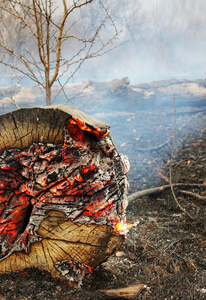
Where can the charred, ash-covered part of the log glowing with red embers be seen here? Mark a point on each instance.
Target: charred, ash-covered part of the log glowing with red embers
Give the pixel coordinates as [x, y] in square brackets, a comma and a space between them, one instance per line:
[84, 178]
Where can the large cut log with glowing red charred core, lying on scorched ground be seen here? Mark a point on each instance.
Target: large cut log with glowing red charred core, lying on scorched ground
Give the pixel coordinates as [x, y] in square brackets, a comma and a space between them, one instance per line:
[62, 192]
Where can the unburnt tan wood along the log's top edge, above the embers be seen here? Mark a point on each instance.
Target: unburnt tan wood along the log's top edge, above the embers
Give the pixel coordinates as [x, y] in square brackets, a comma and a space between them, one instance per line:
[20, 128]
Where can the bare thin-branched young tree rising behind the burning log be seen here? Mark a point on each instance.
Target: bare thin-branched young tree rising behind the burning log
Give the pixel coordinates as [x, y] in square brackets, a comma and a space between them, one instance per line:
[56, 40]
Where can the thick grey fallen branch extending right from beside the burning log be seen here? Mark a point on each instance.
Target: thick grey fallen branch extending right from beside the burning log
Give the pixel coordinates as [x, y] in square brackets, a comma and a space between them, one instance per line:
[159, 189]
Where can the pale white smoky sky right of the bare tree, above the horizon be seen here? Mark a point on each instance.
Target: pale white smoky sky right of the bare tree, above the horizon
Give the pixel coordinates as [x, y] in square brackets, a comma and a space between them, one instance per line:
[163, 39]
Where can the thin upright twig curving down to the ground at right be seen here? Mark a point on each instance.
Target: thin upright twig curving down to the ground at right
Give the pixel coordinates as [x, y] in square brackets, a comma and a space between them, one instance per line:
[170, 167]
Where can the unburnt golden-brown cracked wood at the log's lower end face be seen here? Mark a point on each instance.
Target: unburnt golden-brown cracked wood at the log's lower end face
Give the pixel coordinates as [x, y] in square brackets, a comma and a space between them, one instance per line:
[64, 240]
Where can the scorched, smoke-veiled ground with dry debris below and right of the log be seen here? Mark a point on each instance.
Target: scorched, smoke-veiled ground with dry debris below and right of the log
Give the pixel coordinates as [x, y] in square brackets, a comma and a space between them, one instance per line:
[167, 250]
